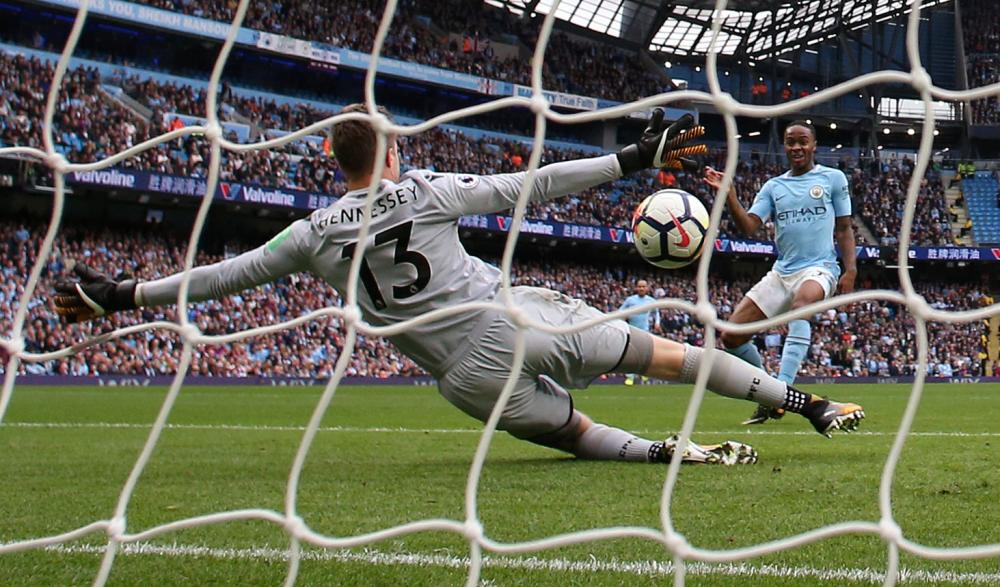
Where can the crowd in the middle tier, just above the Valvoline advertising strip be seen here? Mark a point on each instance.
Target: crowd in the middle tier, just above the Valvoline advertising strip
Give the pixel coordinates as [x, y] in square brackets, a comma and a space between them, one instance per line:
[90, 126]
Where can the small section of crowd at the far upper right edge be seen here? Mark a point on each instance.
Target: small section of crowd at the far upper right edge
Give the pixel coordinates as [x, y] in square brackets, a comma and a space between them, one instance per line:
[981, 32]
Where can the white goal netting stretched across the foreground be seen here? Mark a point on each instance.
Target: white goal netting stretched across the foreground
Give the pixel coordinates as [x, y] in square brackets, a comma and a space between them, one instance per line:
[470, 528]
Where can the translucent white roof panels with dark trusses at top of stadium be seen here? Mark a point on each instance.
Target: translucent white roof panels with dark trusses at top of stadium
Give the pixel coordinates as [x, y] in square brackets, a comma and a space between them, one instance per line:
[754, 29]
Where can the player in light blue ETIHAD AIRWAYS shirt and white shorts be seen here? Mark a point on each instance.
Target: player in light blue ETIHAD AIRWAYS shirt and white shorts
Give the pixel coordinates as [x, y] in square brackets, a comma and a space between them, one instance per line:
[810, 205]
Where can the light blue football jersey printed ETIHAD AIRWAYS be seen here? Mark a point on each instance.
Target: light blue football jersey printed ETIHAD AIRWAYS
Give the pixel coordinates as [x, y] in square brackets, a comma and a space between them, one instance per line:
[804, 209]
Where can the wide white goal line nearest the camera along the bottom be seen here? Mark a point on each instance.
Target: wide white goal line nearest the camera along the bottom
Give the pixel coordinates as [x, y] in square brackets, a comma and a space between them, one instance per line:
[637, 568]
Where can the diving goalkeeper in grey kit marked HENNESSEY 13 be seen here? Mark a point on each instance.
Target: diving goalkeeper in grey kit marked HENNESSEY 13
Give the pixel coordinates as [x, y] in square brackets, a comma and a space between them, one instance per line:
[414, 263]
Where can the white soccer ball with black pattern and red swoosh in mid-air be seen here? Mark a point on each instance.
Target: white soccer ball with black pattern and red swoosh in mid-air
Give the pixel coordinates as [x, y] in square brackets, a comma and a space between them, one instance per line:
[669, 228]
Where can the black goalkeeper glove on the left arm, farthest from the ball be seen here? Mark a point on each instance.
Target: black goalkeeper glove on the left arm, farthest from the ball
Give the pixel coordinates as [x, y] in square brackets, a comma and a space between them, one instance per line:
[94, 295]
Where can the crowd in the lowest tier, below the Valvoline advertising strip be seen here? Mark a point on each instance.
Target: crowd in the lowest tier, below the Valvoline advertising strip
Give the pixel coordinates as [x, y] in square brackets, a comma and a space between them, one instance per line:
[872, 338]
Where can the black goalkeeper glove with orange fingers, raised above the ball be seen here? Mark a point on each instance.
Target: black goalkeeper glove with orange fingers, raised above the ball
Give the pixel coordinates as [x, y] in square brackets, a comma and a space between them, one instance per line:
[663, 147]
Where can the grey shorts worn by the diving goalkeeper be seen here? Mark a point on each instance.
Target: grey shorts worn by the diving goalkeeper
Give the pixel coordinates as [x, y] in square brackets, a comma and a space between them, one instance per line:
[540, 403]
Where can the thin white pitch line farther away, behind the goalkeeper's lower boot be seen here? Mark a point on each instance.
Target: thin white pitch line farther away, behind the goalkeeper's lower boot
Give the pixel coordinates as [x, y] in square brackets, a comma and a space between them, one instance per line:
[376, 429]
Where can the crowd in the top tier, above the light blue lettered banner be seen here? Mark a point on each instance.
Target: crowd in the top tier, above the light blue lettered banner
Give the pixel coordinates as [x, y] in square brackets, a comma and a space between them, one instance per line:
[472, 34]
